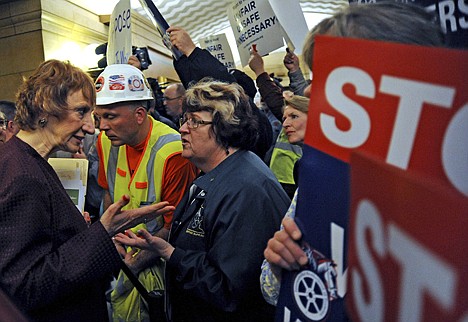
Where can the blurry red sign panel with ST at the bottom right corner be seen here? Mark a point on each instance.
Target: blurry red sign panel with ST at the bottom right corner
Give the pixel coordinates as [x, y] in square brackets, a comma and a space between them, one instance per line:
[407, 252]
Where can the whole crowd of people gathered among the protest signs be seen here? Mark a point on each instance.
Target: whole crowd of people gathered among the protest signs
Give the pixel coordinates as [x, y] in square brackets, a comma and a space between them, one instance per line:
[196, 213]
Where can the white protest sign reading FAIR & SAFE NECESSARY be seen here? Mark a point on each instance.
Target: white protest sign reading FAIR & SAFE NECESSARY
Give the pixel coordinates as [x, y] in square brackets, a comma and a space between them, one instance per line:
[254, 23]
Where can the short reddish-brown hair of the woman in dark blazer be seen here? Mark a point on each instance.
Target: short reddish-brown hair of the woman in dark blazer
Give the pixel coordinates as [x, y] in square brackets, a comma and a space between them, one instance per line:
[46, 91]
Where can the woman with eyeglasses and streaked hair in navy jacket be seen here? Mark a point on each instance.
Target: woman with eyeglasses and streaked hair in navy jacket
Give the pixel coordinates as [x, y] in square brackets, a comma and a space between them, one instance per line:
[222, 226]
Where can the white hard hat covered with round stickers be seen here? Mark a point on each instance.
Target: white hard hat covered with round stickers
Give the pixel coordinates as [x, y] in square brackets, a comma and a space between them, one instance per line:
[121, 83]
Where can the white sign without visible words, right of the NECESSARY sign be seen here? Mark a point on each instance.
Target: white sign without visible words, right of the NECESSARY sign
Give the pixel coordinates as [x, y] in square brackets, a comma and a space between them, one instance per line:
[291, 18]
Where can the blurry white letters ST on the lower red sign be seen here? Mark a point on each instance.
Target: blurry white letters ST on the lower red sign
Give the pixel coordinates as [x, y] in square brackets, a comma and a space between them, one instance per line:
[422, 272]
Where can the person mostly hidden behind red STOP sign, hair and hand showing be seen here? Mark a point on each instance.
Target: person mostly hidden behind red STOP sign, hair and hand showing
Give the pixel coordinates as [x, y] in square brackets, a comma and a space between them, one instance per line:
[393, 22]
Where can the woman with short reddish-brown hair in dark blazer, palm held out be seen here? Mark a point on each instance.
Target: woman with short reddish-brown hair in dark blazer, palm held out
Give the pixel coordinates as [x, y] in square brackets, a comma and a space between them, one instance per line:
[53, 266]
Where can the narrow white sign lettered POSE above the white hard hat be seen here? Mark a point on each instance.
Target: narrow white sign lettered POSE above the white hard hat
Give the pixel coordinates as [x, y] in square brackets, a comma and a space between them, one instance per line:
[119, 47]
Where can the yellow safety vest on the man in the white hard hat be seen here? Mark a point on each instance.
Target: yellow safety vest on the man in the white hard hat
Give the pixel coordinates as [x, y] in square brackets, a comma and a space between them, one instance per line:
[144, 186]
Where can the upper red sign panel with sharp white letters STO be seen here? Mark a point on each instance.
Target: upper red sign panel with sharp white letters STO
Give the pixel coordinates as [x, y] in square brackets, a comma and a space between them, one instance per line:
[405, 104]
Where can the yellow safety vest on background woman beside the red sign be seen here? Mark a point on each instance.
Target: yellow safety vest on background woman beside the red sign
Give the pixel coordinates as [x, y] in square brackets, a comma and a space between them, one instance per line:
[283, 158]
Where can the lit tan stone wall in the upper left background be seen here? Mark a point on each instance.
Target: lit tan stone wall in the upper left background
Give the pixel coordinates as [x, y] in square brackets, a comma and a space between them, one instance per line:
[32, 31]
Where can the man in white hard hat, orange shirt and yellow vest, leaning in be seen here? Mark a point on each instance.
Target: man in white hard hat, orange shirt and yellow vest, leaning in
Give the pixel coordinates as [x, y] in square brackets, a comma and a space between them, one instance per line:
[140, 157]
